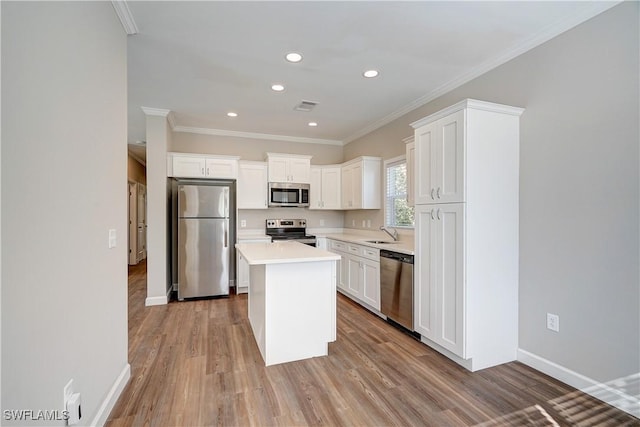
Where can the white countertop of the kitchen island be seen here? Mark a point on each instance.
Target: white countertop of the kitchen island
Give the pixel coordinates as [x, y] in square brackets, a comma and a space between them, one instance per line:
[283, 252]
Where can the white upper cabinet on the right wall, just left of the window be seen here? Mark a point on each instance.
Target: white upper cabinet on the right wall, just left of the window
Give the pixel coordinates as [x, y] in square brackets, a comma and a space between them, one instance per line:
[362, 183]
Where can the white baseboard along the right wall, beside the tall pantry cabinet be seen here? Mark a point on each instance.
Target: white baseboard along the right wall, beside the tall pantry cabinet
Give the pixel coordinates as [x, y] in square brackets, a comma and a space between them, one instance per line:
[606, 392]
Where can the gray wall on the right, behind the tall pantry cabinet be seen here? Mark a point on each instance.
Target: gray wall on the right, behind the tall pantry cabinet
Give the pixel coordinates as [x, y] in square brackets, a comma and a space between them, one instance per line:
[579, 189]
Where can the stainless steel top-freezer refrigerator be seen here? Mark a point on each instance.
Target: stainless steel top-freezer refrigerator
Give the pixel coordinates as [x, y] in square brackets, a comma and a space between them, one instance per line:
[205, 239]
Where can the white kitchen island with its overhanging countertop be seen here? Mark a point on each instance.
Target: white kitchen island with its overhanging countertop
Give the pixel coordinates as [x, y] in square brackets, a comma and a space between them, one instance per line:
[292, 299]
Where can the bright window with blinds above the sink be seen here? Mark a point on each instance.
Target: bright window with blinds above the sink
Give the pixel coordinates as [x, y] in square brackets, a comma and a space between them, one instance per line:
[397, 212]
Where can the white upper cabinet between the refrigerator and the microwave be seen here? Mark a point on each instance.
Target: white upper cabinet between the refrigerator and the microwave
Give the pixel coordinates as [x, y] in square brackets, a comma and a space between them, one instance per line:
[252, 190]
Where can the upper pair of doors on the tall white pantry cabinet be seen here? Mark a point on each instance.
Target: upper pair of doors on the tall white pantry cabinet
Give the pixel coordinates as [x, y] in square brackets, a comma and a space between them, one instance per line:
[439, 150]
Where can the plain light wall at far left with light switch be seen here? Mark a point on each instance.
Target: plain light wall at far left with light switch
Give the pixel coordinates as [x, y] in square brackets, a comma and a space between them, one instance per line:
[64, 179]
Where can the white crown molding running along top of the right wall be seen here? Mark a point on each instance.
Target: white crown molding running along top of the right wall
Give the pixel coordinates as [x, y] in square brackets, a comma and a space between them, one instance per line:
[547, 34]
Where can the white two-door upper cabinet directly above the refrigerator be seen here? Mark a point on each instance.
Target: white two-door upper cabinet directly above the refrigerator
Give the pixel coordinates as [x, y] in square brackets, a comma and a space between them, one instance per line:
[182, 165]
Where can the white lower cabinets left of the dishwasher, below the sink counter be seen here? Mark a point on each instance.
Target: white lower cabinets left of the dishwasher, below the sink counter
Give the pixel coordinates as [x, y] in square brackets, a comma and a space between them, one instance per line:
[359, 275]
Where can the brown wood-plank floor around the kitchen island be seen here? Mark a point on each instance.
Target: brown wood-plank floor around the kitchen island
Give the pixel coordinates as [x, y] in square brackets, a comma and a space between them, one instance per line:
[196, 363]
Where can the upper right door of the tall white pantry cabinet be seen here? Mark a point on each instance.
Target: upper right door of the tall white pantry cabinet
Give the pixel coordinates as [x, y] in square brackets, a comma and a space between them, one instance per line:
[449, 159]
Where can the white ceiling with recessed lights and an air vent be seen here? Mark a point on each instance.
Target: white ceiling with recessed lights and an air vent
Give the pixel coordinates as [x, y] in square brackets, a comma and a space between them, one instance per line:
[203, 59]
